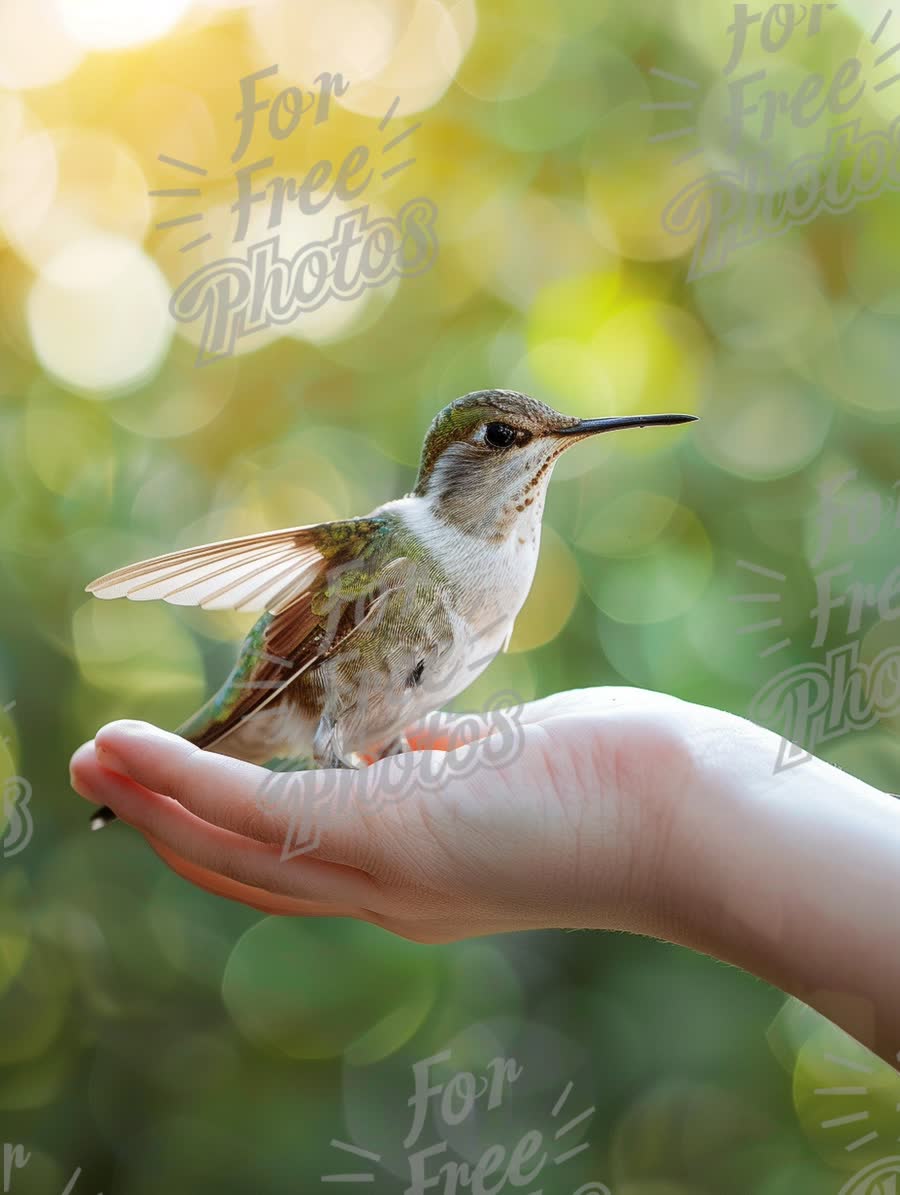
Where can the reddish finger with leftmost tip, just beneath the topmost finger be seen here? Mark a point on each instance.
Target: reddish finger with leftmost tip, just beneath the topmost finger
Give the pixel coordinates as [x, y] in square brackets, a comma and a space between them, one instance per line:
[217, 850]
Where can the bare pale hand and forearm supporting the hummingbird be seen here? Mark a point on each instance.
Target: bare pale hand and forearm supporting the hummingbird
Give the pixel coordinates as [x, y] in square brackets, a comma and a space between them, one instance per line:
[621, 810]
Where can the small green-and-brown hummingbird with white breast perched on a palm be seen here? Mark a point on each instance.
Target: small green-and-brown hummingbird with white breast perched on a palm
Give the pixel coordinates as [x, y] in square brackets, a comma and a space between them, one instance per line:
[369, 624]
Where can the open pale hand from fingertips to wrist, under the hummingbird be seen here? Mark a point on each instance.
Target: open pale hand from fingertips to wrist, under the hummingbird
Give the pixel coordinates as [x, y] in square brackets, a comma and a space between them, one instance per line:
[571, 832]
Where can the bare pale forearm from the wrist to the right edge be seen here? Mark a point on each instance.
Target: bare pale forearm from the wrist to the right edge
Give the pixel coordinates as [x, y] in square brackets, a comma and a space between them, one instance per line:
[795, 877]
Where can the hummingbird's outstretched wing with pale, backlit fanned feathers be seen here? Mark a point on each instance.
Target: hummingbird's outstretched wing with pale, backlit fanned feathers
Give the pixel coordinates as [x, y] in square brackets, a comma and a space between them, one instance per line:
[248, 574]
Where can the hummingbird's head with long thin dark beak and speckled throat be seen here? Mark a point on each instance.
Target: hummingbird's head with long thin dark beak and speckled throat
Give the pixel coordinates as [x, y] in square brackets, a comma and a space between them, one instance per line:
[488, 457]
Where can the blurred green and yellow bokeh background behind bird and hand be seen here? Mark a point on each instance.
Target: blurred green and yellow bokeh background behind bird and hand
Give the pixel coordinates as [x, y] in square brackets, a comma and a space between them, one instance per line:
[163, 1040]
